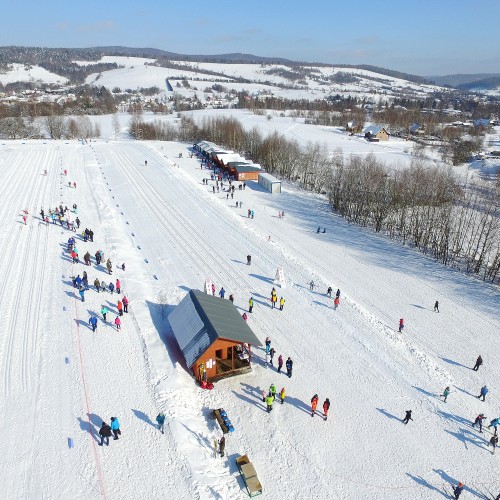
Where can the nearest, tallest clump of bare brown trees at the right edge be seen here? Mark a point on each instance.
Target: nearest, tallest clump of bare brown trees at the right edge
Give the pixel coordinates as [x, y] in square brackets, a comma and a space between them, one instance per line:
[457, 224]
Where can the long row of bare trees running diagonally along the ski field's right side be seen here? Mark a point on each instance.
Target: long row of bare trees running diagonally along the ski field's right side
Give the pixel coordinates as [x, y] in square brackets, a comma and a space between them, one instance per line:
[424, 206]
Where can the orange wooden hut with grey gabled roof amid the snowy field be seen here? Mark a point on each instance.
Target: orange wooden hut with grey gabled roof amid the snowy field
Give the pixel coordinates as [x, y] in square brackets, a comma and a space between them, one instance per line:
[213, 337]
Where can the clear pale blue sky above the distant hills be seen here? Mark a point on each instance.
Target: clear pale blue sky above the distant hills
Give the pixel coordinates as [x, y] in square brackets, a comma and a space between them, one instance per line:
[425, 37]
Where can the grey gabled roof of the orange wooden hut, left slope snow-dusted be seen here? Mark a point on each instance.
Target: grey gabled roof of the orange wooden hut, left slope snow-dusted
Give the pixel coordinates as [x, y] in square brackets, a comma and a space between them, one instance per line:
[200, 319]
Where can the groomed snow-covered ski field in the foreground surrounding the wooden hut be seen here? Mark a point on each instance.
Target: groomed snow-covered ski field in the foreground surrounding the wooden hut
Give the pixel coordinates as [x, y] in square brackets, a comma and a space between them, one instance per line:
[59, 380]
